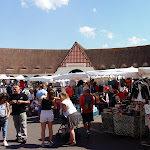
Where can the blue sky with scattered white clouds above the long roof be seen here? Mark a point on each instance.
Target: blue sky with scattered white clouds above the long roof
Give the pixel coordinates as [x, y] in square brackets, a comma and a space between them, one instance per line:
[57, 24]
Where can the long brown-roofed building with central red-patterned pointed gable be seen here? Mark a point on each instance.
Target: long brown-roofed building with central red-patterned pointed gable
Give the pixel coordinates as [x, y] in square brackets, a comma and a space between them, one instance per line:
[39, 62]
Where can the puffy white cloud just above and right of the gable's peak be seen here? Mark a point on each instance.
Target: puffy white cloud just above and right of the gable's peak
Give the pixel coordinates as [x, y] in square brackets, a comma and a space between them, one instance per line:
[87, 31]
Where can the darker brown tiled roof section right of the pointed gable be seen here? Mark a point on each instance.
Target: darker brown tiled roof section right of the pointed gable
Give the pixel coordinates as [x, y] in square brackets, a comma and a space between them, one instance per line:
[127, 56]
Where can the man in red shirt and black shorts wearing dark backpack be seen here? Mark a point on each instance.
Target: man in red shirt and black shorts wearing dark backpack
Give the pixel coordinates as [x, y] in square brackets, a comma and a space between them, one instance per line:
[87, 102]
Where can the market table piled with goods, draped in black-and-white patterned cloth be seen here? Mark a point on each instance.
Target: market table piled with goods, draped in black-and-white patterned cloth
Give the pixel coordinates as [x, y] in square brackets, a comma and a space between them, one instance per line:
[125, 119]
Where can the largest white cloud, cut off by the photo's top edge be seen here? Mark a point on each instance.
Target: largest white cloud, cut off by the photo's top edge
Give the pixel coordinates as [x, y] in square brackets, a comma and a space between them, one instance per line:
[45, 4]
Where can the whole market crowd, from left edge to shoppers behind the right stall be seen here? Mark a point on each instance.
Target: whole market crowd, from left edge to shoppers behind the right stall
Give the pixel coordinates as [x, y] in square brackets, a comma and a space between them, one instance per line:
[50, 101]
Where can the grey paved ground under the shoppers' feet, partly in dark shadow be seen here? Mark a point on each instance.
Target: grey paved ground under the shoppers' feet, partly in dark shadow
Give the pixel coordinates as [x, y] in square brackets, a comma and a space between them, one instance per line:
[98, 140]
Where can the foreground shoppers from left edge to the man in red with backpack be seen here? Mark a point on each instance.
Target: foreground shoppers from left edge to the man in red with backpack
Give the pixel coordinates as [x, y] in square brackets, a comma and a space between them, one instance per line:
[48, 103]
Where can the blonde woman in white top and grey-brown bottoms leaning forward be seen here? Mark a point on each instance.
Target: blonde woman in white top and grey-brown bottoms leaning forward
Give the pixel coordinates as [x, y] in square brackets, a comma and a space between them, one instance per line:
[72, 116]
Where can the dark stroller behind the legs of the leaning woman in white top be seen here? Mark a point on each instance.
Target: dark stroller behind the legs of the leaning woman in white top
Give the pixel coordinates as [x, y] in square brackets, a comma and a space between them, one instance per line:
[63, 131]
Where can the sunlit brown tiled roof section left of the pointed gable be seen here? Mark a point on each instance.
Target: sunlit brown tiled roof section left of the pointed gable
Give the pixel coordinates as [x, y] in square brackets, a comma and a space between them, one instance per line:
[30, 61]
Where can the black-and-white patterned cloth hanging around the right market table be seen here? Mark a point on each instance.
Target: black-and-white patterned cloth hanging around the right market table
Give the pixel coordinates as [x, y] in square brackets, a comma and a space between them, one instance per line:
[123, 125]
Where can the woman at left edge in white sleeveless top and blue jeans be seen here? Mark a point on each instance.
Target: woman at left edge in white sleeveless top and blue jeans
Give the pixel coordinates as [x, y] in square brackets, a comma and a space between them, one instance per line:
[4, 115]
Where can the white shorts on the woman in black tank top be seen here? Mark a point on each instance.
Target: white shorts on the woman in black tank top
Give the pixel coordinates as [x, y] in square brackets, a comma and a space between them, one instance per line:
[46, 115]
